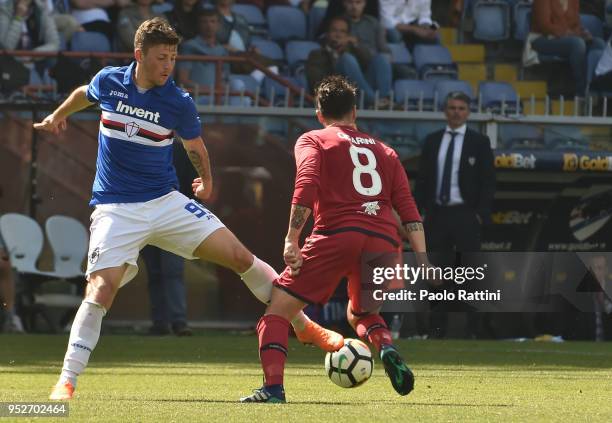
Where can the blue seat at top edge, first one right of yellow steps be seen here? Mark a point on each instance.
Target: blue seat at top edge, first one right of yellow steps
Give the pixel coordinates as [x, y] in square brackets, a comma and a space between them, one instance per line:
[491, 20]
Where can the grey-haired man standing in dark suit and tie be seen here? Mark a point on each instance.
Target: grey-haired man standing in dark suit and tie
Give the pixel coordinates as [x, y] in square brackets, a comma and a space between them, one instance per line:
[454, 191]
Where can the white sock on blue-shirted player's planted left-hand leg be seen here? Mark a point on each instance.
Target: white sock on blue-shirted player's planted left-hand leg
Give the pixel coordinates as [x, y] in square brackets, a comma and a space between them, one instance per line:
[84, 336]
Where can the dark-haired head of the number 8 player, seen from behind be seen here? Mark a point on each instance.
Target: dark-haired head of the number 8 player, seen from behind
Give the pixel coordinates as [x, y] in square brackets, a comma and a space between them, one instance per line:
[335, 97]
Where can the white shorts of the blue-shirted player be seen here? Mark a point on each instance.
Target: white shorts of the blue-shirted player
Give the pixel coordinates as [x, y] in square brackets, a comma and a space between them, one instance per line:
[119, 231]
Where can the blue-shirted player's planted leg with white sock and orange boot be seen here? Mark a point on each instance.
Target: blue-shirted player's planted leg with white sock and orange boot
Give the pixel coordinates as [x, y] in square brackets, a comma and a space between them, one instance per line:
[85, 331]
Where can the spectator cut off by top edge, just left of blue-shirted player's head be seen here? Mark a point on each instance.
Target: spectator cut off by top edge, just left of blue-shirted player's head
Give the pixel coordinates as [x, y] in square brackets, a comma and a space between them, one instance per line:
[92, 14]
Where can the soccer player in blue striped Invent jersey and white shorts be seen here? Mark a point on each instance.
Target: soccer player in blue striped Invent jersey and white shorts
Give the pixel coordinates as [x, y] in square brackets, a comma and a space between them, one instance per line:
[135, 192]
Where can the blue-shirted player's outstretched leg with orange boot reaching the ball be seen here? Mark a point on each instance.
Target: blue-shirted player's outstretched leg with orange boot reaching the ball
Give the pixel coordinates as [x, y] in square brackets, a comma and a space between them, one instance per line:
[223, 248]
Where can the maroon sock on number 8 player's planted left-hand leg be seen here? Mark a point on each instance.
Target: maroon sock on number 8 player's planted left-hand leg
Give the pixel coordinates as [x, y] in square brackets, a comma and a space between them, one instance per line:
[273, 334]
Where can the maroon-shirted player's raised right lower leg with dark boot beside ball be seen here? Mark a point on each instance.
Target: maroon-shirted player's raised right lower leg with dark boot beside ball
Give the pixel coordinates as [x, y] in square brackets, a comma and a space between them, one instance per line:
[372, 328]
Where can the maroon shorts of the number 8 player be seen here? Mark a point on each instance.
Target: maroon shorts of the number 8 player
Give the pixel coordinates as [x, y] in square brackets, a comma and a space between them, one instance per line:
[329, 258]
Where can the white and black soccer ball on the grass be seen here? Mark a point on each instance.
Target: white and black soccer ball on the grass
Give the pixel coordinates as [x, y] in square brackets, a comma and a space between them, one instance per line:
[351, 365]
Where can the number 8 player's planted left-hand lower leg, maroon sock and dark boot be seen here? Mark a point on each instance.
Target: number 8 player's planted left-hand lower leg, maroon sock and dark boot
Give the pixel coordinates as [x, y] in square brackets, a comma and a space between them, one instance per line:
[272, 330]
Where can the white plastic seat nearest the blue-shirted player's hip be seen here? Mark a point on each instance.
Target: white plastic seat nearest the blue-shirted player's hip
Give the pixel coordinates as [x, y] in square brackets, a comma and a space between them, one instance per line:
[69, 240]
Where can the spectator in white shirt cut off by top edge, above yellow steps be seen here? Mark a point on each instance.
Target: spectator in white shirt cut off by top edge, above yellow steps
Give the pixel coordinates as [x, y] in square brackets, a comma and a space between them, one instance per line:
[408, 21]
